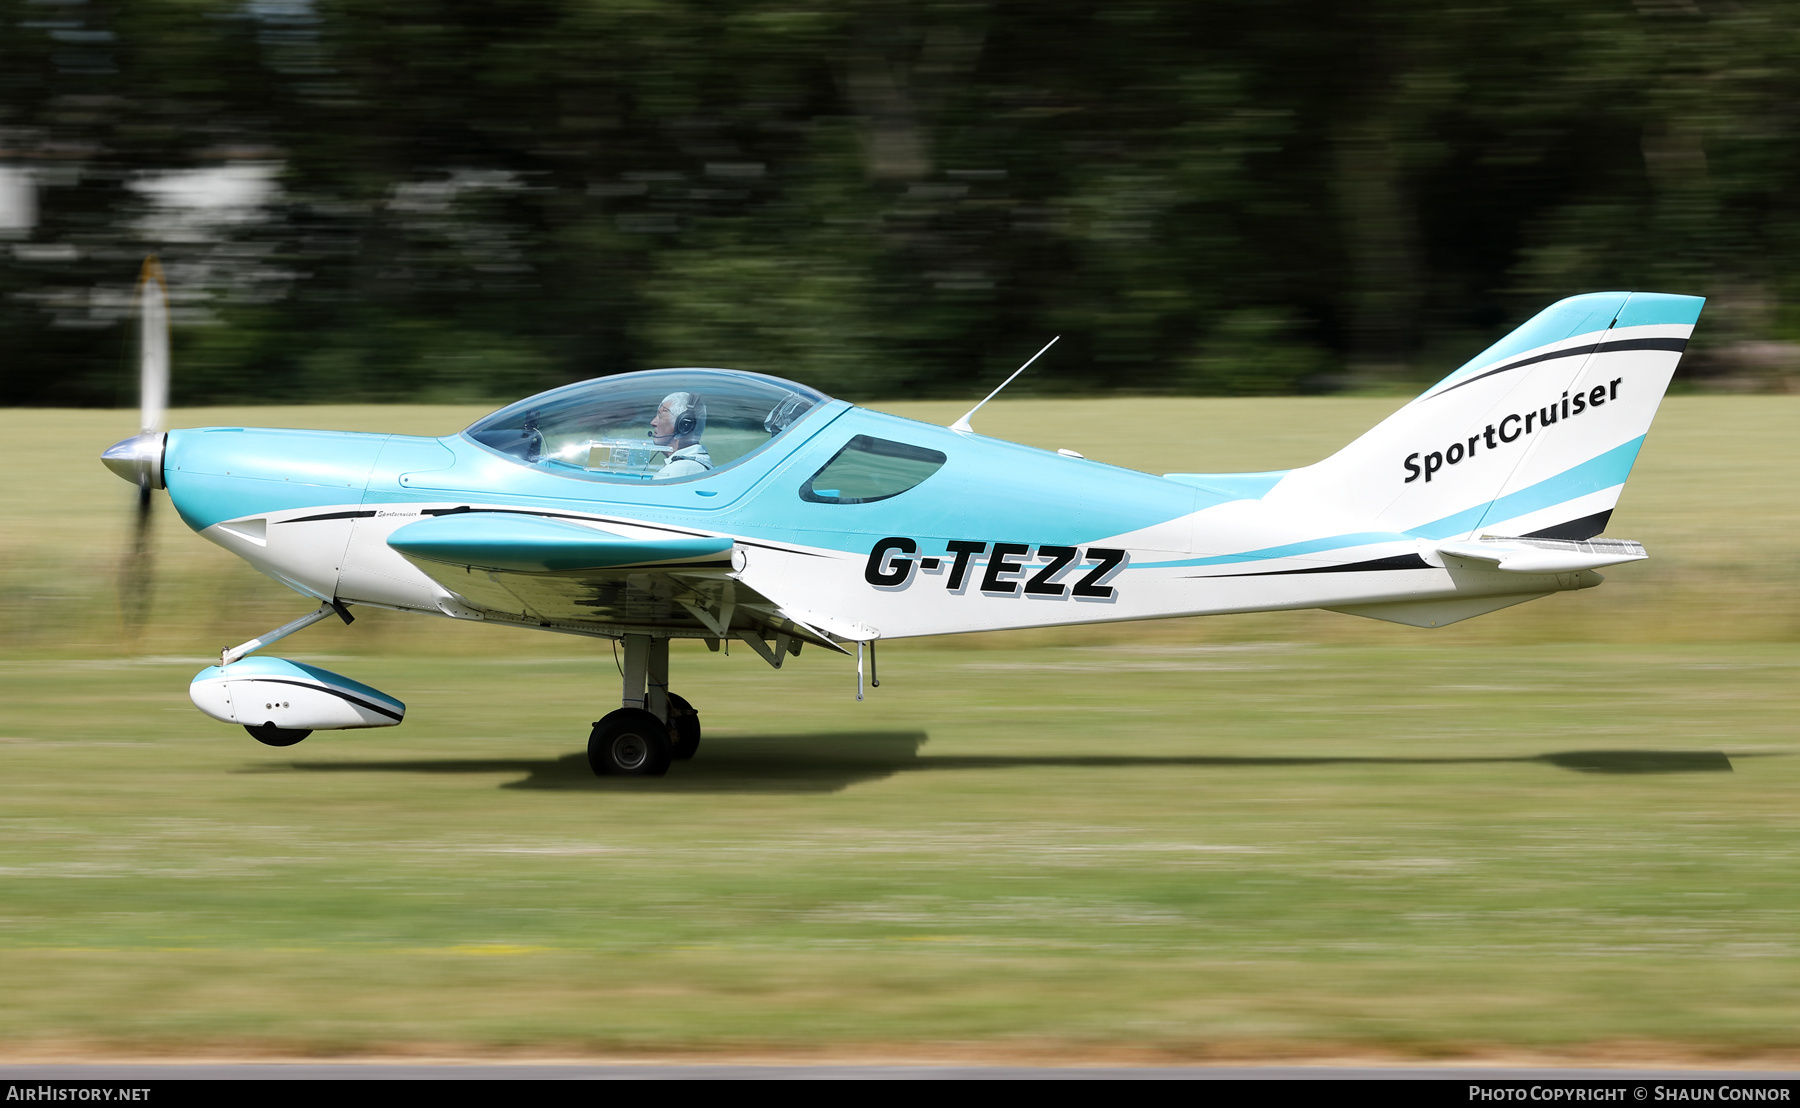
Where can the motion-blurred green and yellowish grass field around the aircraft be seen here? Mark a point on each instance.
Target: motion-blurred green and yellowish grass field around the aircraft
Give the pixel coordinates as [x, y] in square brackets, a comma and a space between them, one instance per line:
[1565, 830]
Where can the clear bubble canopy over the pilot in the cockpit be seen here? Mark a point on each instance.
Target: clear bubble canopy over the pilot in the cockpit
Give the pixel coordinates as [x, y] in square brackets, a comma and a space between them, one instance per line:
[656, 425]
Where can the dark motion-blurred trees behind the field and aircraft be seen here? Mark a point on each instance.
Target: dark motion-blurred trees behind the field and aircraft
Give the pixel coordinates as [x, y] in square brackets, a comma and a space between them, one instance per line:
[478, 199]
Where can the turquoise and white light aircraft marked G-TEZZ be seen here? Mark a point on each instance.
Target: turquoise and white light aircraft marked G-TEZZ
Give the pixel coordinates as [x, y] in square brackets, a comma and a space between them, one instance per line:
[733, 506]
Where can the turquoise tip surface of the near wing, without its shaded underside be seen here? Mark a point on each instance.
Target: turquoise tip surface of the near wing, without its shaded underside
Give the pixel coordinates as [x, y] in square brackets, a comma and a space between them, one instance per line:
[544, 546]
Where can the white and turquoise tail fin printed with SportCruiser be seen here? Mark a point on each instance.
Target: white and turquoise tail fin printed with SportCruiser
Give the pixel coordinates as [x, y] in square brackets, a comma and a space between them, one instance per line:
[1534, 436]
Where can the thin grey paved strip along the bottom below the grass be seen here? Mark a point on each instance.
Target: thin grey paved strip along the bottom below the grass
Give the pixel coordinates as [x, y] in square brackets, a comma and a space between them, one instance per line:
[841, 1073]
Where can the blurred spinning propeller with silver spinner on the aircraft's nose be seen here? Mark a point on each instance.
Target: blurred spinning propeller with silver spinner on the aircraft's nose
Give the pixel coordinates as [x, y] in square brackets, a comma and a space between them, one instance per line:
[139, 460]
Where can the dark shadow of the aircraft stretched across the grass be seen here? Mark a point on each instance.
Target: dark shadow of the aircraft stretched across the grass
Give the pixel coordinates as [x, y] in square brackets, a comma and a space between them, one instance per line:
[820, 764]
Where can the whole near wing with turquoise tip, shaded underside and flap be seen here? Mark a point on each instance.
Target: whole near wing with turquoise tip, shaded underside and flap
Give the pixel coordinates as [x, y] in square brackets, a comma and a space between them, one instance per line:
[571, 575]
